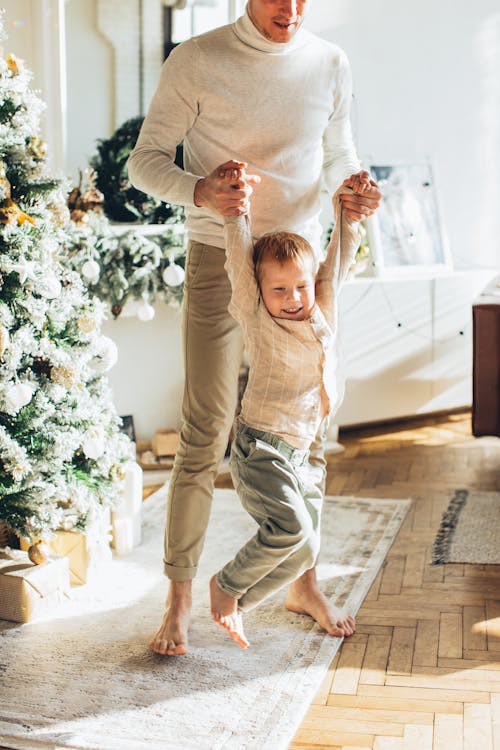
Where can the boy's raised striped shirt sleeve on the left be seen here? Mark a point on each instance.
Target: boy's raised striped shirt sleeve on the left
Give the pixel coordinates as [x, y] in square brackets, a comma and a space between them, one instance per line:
[239, 266]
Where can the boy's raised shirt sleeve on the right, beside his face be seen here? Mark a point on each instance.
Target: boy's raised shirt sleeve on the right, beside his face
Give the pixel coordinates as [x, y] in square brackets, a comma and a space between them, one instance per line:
[340, 255]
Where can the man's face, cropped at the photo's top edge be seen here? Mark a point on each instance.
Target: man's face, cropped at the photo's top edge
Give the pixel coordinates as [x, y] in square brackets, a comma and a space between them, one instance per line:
[277, 20]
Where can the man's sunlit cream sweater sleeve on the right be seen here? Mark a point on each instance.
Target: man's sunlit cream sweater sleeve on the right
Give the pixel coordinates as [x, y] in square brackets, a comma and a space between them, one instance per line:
[340, 158]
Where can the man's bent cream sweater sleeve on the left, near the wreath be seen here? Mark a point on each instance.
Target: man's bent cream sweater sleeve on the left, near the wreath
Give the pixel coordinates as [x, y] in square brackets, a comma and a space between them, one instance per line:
[172, 112]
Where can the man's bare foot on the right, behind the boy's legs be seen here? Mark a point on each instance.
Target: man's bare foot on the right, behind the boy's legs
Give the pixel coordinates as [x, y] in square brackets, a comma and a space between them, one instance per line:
[305, 598]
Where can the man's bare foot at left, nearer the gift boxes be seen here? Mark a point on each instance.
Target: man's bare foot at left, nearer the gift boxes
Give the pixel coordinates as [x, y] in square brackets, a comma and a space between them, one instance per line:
[171, 637]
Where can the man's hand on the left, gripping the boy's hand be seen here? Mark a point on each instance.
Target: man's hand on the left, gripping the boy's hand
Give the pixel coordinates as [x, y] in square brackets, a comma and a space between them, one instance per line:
[227, 197]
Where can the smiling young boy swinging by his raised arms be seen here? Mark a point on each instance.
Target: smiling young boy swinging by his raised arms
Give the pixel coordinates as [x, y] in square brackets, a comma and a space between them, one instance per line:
[287, 307]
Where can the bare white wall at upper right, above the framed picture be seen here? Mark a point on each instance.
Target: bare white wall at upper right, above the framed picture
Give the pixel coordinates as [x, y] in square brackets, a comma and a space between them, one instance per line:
[427, 86]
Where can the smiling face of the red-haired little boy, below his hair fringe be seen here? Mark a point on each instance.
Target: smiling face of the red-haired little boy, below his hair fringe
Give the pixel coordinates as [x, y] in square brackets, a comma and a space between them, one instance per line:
[287, 288]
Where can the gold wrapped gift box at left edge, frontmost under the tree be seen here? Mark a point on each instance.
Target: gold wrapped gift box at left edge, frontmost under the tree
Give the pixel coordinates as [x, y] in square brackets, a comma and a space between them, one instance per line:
[27, 590]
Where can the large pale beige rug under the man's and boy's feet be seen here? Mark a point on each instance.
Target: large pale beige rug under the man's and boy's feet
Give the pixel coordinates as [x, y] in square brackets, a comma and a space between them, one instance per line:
[85, 680]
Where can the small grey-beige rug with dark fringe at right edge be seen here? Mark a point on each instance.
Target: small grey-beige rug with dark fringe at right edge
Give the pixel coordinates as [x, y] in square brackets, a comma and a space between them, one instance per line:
[469, 530]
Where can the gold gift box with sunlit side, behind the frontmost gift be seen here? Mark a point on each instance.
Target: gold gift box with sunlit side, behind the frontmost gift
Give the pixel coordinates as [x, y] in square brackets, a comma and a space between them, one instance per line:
[84, 551]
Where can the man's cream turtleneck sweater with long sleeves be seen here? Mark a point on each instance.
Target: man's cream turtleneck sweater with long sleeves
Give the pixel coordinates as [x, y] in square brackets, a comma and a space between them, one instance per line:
[233, 94]
